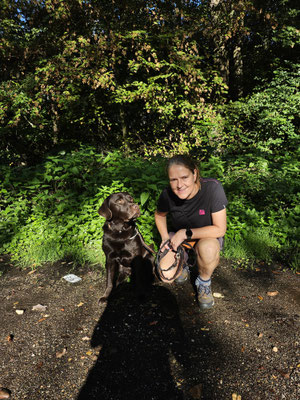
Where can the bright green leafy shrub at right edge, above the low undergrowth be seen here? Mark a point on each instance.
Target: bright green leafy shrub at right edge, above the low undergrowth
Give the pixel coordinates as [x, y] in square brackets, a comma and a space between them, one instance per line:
[268, 120]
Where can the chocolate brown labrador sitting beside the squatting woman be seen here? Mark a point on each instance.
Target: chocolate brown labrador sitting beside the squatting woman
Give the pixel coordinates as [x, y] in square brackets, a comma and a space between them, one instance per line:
[123, 245]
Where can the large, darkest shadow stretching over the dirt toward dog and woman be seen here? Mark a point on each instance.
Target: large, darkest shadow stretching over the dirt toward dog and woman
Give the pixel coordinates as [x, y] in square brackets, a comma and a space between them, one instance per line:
[140, 345]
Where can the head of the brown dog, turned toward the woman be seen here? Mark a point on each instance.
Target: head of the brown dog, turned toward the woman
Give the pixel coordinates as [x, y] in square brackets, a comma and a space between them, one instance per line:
[119, 206]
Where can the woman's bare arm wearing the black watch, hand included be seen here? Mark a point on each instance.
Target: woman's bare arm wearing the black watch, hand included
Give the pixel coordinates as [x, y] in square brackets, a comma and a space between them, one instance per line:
[216, 230]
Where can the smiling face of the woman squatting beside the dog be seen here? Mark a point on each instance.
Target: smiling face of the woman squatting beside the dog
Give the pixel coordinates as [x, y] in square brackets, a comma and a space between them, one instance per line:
[183, 182]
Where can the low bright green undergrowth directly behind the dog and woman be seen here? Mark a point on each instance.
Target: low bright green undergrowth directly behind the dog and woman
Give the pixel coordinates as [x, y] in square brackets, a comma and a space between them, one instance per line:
[49, 212]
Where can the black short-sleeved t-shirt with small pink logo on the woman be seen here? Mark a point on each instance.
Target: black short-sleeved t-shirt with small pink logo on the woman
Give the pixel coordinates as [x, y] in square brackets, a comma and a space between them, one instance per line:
[195, 212]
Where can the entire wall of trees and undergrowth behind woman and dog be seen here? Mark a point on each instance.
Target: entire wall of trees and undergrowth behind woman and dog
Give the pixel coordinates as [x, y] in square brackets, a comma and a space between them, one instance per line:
[95, 94]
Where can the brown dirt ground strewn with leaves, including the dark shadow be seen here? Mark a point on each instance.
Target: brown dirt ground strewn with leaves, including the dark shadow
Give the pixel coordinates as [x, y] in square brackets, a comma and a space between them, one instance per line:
[164, 348]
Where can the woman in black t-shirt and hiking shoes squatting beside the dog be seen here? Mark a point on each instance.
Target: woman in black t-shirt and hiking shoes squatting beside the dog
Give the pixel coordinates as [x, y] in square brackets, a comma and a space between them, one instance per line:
[197, 207]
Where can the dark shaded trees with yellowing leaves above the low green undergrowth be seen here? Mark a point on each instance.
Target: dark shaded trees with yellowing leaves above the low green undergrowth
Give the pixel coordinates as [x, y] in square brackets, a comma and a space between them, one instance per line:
[153, 81]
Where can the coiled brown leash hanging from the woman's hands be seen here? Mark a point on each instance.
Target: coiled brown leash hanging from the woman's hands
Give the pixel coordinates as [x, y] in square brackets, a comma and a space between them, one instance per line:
[178, 262]
